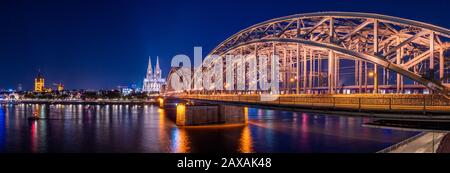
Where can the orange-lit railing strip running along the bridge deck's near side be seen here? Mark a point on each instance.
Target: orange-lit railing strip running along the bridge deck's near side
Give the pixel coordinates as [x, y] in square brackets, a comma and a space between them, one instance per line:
[364, 101]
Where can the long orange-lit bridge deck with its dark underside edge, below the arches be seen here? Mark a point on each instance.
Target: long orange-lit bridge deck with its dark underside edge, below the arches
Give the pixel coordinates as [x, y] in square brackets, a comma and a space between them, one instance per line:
[425, 106]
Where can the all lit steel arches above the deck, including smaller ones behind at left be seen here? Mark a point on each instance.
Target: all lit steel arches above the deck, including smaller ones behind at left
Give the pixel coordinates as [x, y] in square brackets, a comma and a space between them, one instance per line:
[327, 53]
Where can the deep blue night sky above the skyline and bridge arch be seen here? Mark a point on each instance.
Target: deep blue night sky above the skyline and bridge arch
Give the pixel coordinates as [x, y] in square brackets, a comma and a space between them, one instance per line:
[96, 44]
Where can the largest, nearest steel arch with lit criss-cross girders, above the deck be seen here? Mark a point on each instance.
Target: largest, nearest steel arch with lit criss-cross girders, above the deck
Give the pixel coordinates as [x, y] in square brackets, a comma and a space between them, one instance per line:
[319, 51]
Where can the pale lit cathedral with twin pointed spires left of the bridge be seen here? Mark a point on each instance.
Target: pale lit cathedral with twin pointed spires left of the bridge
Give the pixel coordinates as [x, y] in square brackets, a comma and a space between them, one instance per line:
[153, 81]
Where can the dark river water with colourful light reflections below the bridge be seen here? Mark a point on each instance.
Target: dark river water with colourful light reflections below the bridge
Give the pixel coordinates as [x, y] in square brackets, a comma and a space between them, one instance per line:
[127, 128]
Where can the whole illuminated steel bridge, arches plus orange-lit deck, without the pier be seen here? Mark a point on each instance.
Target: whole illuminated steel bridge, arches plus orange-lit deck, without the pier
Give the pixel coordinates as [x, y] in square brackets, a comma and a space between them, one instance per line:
[339, 59]
